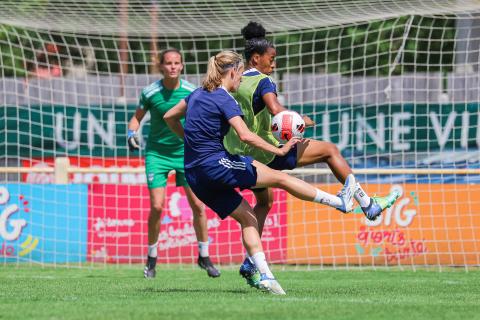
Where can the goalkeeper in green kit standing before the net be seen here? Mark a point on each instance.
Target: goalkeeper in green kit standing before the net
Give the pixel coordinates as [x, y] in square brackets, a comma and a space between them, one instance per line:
[165, 153]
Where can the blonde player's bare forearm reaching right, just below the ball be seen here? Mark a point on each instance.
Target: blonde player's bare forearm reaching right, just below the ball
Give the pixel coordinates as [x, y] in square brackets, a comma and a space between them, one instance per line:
[254, 140]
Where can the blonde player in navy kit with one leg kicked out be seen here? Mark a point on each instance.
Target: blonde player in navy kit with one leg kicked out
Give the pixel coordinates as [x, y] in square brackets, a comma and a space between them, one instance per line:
[213, 173]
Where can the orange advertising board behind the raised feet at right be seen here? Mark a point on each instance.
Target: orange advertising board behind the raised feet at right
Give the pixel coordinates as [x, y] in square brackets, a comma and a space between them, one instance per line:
[430, 224]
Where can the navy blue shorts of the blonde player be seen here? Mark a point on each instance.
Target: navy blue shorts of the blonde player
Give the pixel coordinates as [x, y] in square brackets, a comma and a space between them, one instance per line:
[214, 183]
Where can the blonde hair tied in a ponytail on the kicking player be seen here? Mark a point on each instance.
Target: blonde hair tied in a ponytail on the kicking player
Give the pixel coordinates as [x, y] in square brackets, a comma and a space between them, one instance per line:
[218, 66]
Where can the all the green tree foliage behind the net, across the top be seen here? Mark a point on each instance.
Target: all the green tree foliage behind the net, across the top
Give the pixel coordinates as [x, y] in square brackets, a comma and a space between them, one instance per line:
[364, 49]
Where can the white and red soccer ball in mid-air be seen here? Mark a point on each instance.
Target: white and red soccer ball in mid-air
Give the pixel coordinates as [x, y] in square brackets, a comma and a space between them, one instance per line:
[287, 124]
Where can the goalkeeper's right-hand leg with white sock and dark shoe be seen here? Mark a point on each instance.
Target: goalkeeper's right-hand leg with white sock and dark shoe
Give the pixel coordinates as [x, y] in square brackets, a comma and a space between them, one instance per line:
[201, 231]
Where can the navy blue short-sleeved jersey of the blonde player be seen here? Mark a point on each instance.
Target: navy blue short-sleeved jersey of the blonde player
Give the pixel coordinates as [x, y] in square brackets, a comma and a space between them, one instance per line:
[206, 123]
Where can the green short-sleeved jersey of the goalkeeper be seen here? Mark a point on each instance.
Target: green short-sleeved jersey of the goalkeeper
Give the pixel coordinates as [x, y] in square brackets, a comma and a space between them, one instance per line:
[158, 100]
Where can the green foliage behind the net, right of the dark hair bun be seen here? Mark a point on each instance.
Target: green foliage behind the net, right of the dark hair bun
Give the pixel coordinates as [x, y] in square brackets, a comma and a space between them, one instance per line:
[370, 49]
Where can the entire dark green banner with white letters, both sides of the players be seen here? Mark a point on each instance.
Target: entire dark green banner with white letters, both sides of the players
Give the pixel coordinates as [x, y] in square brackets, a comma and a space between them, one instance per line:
[100, 131]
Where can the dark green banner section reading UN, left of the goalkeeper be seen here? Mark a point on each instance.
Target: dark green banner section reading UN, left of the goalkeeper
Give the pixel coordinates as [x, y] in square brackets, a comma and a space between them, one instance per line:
[46, 130]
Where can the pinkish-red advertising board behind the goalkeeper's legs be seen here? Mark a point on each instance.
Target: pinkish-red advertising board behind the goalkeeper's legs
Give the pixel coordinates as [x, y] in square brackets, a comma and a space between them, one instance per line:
[117, 227]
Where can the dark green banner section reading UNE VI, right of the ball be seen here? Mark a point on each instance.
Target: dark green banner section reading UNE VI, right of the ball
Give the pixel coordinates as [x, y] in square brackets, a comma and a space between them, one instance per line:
[387, 129]
